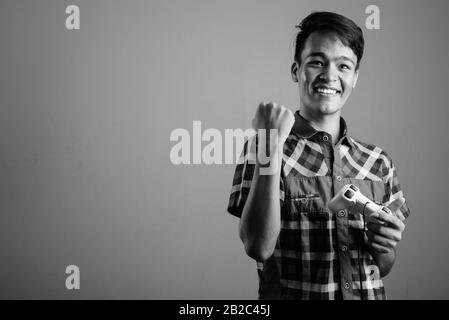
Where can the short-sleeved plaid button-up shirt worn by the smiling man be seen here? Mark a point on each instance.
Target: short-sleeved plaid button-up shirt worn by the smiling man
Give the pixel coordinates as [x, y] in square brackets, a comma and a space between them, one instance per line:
[319, 254]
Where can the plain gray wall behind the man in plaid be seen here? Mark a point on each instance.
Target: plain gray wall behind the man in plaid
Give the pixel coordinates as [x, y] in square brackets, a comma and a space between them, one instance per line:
[85, 175]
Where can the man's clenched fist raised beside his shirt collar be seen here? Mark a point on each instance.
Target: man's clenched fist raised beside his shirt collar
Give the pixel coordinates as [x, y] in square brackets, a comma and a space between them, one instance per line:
[274, 116]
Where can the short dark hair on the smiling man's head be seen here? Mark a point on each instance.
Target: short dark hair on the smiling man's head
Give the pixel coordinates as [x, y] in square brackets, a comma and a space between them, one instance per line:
[348, 32]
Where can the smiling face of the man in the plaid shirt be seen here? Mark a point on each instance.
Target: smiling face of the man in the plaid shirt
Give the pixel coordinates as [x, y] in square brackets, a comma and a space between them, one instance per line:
[327, 74]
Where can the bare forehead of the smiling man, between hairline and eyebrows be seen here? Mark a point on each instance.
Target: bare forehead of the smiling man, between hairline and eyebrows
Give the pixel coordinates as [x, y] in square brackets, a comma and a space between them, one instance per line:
[327, 43]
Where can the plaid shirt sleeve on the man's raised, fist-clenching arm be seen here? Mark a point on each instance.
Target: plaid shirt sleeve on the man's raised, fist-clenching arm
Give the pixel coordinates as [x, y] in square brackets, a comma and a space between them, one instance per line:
[243, 177]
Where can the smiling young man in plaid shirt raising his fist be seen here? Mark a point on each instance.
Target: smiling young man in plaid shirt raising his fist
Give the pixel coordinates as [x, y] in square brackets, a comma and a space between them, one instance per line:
[302, 249]
